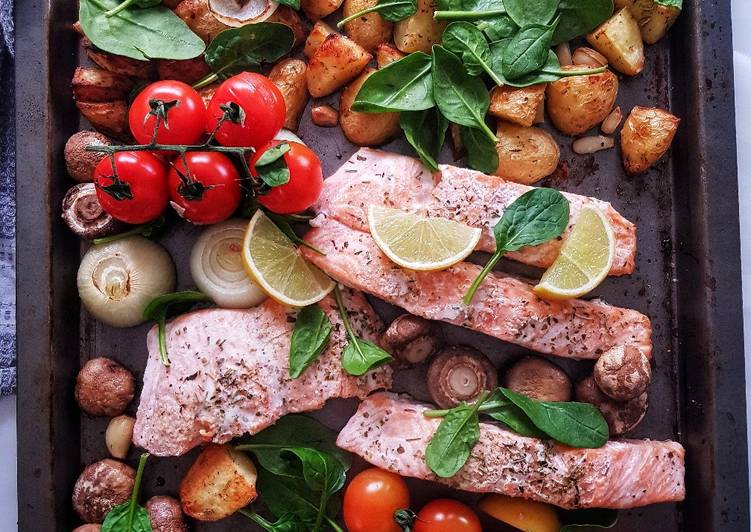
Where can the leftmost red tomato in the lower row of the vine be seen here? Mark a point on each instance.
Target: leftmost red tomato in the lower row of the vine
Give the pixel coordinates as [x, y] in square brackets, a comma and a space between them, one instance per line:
[138, 194]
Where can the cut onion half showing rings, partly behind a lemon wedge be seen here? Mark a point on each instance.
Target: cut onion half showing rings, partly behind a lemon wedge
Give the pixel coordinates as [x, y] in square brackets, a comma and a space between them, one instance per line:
[217, 268]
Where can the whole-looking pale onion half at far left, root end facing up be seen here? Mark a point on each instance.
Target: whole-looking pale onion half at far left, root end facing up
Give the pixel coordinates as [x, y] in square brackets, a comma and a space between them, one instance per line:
[117, 280]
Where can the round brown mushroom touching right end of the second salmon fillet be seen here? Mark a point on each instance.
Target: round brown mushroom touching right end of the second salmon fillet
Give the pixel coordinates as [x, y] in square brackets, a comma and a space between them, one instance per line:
[623, 373]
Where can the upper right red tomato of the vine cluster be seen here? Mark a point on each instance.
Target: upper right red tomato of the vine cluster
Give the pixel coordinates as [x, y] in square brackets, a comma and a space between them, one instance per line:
[257, 110]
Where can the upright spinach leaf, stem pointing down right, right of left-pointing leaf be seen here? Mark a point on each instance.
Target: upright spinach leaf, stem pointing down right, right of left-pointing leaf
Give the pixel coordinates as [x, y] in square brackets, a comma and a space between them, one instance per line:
[461, 99]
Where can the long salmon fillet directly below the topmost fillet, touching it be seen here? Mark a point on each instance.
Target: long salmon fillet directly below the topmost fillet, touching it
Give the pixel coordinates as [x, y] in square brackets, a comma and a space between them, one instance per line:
[503, 307]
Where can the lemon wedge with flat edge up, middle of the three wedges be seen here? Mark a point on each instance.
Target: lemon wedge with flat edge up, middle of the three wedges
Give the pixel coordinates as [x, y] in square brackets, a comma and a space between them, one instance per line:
[420, 243]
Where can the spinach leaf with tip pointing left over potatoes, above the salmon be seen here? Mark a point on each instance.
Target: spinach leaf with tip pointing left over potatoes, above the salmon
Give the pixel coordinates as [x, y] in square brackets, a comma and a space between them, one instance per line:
[404, 85]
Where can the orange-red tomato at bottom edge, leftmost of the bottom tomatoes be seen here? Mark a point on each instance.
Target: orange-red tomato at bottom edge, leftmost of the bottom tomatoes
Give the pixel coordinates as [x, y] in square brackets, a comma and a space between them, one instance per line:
[371, 499]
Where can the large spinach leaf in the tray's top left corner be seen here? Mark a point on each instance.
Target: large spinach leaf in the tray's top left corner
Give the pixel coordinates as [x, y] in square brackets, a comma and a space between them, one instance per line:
[143, 34]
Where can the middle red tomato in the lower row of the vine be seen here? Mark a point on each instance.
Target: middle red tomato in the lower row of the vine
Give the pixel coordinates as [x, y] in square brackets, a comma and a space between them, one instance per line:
[208, 191]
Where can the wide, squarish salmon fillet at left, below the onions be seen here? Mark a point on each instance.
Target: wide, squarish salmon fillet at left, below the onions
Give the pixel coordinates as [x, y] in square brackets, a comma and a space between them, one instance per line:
[229, 374]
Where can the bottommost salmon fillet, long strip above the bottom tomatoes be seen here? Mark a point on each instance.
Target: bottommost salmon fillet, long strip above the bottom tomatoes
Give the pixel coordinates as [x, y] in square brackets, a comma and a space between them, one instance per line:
[390, 432]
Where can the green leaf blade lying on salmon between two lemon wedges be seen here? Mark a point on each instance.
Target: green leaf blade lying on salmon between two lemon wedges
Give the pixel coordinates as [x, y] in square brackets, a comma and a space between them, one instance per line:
[535, 217]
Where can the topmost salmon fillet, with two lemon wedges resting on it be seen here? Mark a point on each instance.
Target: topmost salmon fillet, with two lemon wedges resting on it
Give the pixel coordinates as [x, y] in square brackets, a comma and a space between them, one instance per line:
[467, 196]
